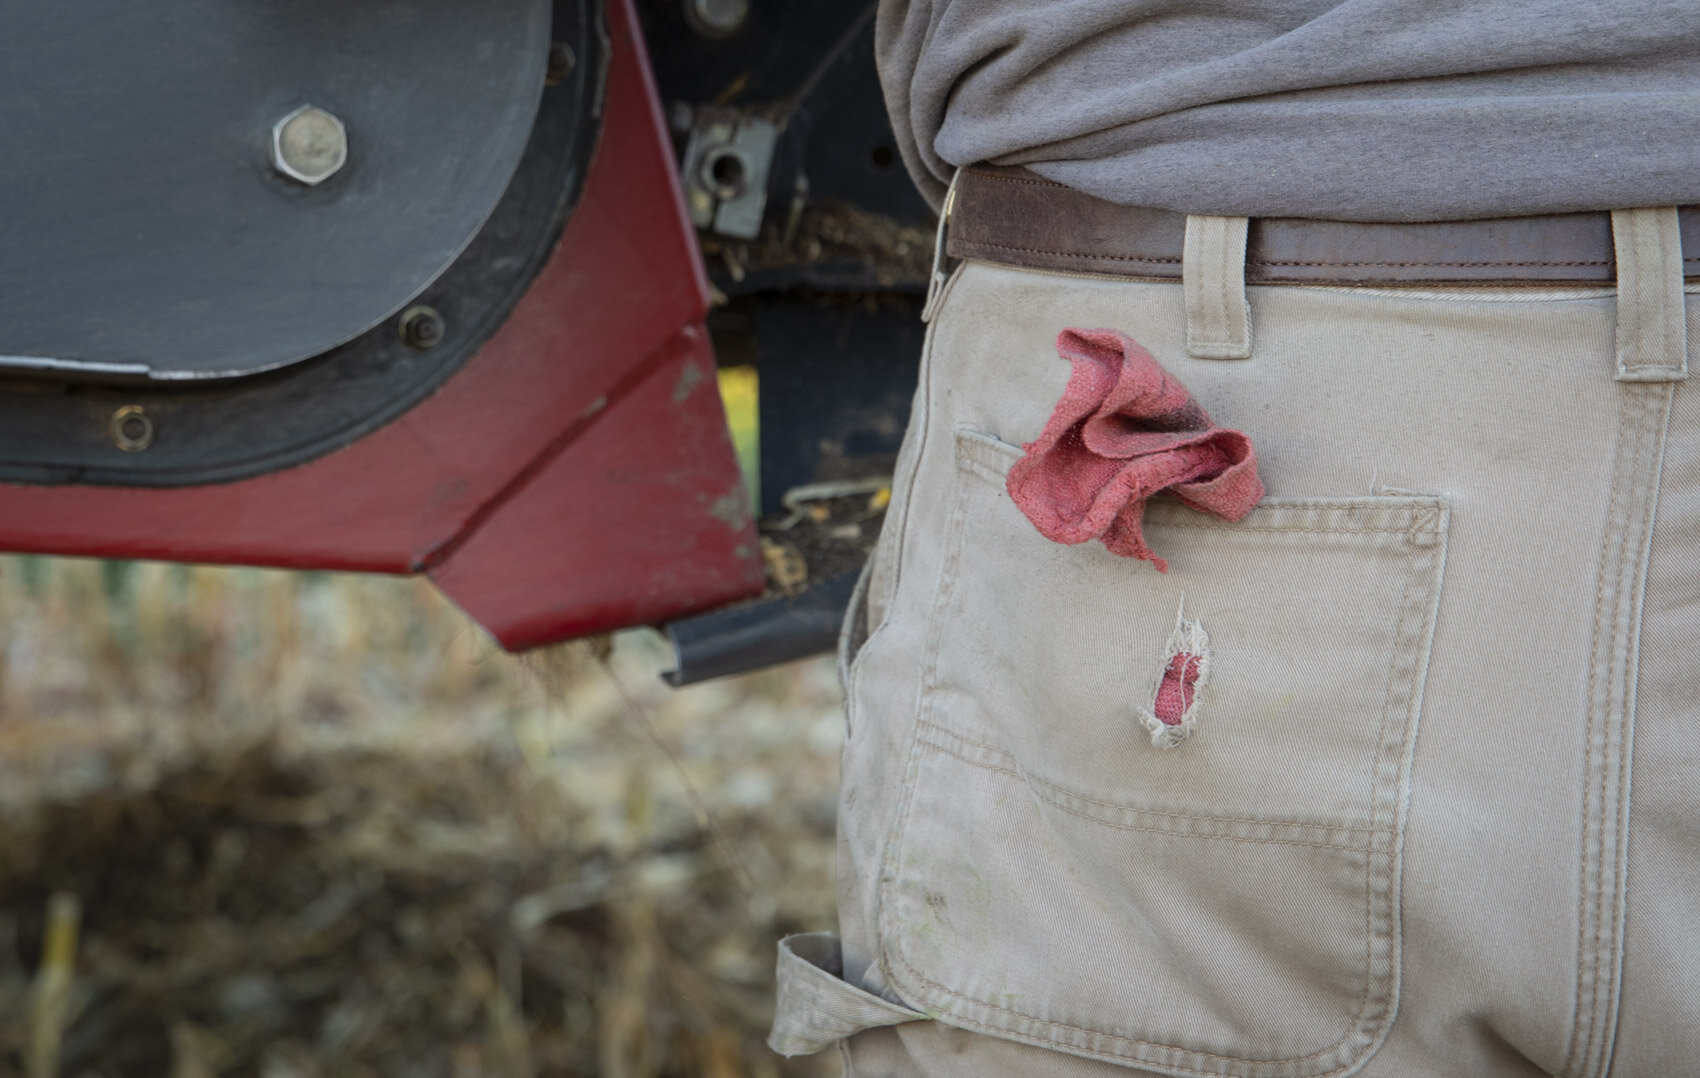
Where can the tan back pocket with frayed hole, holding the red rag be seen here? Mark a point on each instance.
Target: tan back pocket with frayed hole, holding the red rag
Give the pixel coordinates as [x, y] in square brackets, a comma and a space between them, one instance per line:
[1223, 907]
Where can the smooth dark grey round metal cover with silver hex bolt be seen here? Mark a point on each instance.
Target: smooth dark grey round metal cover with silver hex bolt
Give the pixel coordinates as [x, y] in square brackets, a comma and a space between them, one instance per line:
[145, 232]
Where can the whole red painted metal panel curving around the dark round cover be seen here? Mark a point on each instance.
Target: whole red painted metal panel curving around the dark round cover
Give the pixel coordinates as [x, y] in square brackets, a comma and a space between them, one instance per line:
[553, 487]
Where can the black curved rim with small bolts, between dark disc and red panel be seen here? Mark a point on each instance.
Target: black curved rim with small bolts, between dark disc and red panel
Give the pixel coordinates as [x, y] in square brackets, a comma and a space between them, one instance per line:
[215, 431]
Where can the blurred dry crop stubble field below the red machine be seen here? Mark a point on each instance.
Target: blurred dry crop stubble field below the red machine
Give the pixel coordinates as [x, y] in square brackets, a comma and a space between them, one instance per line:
[315, 826]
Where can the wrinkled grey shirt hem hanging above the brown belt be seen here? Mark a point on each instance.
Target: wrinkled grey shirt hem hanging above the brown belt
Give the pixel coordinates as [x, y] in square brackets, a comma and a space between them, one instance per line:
[1347, 110]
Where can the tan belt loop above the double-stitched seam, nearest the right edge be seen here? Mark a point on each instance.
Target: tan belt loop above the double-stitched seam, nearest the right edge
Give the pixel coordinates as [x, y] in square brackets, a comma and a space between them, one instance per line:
[1652, 317]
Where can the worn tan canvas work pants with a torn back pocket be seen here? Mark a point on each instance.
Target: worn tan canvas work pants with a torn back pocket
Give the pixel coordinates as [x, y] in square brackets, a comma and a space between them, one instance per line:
[1442, 810]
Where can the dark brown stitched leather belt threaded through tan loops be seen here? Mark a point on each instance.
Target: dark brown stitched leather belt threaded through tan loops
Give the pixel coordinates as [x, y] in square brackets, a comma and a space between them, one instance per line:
[1019, 218]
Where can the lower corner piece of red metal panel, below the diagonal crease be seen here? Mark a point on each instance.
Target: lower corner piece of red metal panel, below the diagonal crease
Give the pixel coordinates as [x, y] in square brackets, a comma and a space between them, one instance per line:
[635, 523]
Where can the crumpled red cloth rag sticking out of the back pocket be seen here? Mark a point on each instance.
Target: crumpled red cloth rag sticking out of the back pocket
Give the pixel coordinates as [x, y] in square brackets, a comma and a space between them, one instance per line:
[1125, 431]
